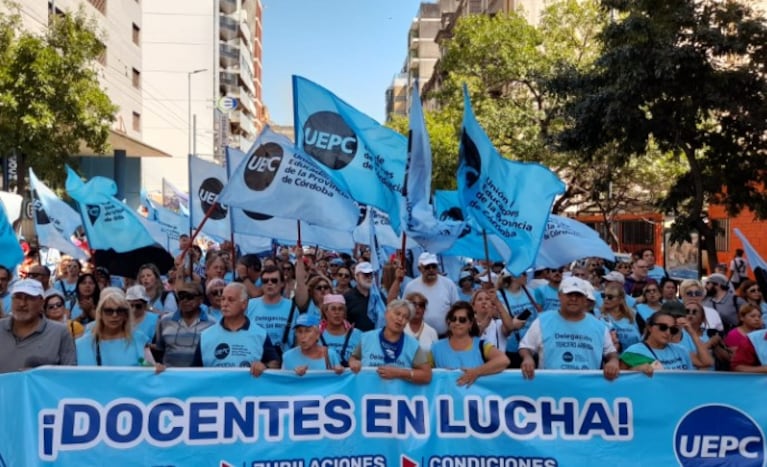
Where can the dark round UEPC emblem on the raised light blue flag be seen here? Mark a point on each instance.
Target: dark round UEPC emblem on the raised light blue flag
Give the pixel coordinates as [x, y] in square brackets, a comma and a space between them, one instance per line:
[329, 140]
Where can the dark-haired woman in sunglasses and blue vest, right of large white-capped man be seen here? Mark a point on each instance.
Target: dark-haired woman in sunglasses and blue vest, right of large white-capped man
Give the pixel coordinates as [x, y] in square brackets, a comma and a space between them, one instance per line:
[657, 352]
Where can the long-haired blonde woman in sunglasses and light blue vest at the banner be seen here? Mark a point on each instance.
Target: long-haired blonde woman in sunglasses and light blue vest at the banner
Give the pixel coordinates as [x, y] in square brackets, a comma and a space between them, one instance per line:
[112, 341]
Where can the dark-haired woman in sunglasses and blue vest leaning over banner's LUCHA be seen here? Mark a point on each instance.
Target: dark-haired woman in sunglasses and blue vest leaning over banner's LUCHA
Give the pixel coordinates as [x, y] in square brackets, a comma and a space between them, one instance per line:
[464, 350]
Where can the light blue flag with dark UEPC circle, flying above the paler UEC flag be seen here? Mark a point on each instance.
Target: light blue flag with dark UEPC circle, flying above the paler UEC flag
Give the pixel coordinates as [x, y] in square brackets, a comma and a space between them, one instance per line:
[364, 158]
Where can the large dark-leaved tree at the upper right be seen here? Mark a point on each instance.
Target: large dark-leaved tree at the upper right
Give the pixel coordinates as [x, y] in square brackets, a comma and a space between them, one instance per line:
[685, 76]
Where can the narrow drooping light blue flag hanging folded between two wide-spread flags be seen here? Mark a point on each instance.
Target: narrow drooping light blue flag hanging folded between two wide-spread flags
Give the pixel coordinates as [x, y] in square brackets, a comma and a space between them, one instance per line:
[433, 234]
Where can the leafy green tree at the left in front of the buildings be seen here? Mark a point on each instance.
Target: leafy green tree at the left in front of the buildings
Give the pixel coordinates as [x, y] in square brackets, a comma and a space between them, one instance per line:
[50, 97]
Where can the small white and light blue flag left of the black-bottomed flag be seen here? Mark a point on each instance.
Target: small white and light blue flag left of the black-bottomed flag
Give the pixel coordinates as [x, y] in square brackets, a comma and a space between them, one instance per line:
[55, 220]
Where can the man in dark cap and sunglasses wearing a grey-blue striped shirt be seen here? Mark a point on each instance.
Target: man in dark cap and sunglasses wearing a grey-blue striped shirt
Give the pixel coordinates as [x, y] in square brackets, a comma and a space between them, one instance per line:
[178, 334]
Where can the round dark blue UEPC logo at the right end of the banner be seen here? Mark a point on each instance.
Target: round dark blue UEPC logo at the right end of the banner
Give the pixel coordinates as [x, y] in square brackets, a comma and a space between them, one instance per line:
[718, 435]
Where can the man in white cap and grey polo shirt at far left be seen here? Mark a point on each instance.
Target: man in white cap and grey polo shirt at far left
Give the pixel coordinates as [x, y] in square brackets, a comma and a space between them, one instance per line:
[27, 338]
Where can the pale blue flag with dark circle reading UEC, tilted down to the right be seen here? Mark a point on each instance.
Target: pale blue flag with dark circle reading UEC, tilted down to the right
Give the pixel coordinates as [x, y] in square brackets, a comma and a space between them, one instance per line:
[276, 178]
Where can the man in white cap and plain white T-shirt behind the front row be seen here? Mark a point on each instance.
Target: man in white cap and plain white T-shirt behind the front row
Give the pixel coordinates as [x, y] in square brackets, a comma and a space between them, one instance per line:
[440, 292]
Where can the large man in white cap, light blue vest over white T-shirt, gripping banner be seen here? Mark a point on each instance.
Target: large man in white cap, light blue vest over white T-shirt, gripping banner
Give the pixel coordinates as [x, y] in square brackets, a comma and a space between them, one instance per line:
[570, 338]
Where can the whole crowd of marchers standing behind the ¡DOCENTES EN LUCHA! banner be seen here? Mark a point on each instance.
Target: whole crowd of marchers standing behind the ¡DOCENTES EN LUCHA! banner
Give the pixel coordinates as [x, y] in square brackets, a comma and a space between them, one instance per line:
[307, 309]
